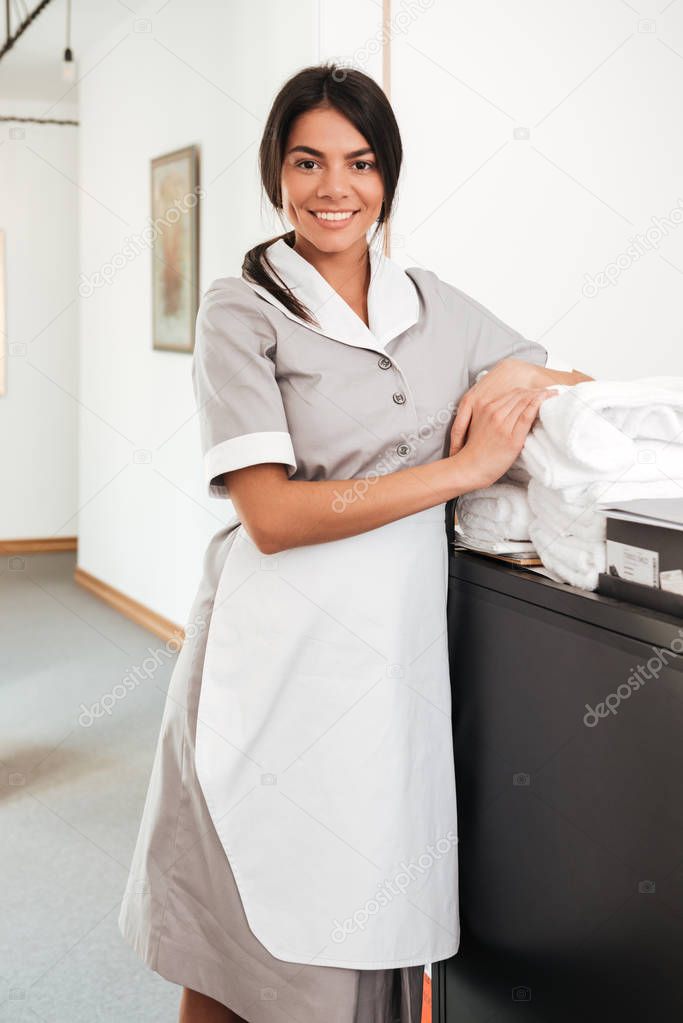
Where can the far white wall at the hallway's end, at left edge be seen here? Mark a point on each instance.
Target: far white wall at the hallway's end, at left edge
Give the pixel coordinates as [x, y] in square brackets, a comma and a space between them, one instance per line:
[39, 411]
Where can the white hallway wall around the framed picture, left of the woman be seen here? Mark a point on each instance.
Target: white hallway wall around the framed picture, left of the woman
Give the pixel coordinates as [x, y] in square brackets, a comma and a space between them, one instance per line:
[203, 74]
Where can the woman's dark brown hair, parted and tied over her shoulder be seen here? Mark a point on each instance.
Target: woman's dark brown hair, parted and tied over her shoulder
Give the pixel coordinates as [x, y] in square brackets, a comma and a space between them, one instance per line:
[359, 99]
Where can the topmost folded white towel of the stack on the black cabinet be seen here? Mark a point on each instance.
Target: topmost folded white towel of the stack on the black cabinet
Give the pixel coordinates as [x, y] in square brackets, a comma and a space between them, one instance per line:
[606, 429]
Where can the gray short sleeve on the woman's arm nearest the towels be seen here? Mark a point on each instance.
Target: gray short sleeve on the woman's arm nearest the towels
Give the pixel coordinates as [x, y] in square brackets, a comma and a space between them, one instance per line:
[489, 340]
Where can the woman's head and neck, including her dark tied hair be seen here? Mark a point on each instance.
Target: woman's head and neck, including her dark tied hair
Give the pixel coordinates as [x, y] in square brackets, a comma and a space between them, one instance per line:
[331, 159]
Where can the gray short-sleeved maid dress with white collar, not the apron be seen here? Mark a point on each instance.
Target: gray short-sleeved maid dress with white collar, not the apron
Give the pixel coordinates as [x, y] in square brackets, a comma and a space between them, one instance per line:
[271, 389]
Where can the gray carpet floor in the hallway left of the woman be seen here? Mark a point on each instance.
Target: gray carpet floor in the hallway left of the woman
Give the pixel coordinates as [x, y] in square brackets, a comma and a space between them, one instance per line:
[71, 798]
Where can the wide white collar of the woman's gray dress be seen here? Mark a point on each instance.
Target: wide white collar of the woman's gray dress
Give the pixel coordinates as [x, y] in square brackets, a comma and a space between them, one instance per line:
[393, 299]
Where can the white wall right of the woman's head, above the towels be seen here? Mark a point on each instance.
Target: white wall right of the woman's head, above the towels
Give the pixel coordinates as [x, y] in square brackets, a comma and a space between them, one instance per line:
[519, 223]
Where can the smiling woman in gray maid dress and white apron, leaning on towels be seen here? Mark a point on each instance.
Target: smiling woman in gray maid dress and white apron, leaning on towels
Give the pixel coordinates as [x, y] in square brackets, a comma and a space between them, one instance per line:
[298, 853]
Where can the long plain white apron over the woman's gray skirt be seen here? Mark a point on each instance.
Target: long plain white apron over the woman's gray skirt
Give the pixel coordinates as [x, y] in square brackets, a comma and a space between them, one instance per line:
[325, 745]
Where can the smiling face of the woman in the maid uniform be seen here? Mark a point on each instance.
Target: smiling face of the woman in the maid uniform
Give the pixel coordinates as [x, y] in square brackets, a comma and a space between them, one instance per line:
[330, 167]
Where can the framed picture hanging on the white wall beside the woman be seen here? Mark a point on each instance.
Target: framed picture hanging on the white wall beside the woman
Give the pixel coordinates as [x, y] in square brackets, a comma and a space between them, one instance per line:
[175, 214]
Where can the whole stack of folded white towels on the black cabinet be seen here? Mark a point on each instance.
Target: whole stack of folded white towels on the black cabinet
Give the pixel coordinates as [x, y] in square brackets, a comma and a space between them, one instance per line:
[595, 444]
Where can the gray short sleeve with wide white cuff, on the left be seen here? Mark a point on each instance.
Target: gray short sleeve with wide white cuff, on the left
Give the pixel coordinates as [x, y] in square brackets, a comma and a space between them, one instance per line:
[242, 417]
